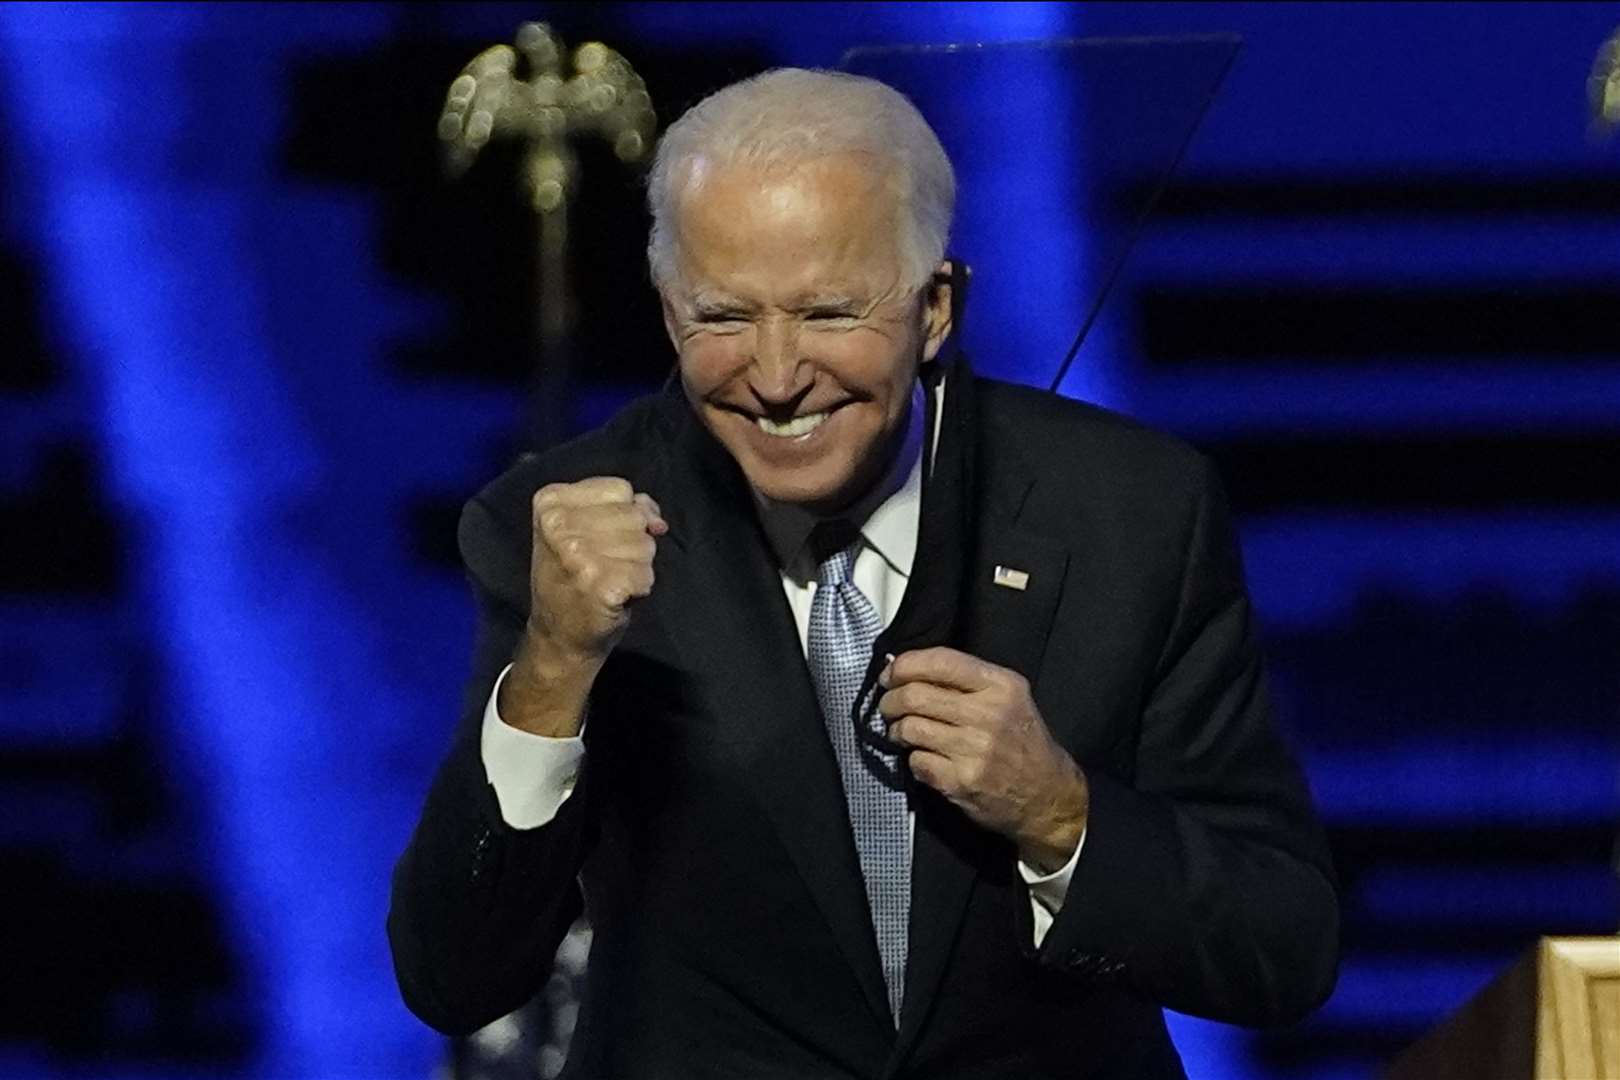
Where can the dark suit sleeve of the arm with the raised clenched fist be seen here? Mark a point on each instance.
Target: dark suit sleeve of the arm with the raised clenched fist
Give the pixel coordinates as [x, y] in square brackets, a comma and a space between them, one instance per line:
[480, 908]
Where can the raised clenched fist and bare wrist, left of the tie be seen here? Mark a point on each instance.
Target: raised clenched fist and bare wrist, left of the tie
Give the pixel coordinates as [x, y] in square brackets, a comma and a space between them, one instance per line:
[592, 559]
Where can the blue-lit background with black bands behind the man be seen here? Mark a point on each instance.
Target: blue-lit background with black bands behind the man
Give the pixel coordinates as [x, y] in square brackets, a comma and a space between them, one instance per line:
[254, 354]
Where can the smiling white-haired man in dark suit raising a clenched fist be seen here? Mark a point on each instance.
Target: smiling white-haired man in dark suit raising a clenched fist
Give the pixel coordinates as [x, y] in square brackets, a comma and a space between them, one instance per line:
[885, 720]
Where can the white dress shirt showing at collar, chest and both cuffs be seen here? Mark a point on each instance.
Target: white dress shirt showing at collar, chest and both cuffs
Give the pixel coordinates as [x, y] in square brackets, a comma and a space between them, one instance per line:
[534, 775]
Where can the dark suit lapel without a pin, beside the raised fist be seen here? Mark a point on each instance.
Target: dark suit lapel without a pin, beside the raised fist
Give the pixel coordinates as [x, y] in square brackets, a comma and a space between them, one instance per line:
[748, 653]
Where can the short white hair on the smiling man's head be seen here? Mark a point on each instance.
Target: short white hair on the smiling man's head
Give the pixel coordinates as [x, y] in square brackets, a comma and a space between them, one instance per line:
[795, 116]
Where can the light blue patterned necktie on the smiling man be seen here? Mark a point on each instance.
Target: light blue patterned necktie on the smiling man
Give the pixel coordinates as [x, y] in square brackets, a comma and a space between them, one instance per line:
[843, 627]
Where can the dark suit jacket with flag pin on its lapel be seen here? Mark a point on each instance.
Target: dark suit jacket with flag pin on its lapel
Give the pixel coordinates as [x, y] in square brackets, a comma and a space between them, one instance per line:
[709, 828]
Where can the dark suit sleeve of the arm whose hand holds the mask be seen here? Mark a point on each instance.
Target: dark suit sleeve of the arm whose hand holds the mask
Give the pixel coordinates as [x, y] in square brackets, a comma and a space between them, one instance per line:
[1206, 883]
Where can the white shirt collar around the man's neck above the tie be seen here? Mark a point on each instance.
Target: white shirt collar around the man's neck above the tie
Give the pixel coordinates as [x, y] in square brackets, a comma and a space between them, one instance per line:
[889, 516]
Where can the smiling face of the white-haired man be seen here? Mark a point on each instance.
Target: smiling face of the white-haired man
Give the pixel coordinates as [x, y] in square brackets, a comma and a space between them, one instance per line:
[799, 341]
